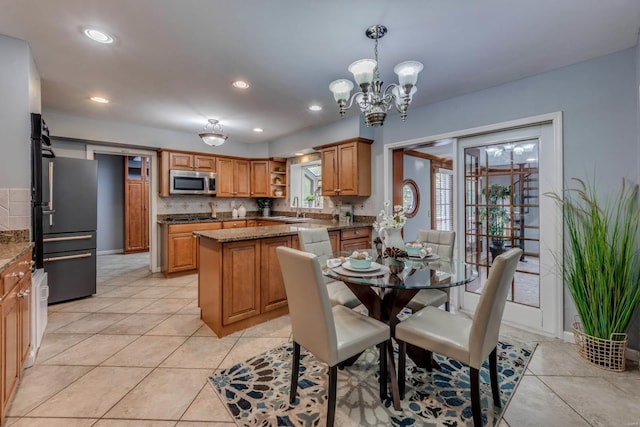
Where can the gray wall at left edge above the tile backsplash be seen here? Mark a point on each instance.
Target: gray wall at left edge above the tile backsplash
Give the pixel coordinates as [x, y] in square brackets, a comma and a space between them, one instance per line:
[19, 96]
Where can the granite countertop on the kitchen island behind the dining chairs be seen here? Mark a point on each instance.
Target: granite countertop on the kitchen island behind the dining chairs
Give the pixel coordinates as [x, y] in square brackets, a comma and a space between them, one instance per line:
[250, 233]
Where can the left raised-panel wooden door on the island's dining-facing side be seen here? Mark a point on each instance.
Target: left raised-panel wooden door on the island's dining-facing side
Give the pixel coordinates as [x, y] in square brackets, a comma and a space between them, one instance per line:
[241, 278]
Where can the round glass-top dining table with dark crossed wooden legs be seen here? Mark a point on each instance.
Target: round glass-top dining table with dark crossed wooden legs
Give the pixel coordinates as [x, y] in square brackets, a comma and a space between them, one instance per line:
[388, 285]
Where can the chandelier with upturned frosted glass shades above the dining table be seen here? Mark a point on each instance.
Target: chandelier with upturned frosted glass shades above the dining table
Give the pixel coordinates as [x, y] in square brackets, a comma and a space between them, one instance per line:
[373, 102]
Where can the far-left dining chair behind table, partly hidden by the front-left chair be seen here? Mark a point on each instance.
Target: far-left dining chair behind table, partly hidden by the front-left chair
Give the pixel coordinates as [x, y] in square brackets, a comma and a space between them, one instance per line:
[316, 241]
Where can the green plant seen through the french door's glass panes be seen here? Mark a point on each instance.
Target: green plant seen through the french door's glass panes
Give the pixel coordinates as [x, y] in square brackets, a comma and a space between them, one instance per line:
[497, 216]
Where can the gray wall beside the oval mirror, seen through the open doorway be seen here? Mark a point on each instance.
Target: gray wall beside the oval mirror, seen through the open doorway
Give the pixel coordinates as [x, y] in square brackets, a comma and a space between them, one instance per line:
[419, 170]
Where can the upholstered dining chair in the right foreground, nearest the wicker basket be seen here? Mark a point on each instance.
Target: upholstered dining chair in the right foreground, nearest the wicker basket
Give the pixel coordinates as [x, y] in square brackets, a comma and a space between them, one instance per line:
[469, 341]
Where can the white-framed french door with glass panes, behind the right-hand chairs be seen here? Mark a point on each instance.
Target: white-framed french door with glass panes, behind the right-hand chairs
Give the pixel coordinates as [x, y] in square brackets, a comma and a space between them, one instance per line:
[502, 178]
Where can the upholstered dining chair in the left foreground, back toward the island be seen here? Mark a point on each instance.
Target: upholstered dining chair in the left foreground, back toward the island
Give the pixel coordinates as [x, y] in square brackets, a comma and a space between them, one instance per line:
[332, 333]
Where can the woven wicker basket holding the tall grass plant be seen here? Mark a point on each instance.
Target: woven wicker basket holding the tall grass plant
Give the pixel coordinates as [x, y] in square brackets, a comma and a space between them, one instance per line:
[605, 354]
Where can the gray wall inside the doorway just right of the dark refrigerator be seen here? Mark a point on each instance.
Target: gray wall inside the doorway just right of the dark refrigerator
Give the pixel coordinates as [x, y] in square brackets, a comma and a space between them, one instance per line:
[110, 202]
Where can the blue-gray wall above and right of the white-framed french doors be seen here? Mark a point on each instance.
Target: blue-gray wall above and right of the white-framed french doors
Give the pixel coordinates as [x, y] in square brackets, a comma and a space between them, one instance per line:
[599, 101]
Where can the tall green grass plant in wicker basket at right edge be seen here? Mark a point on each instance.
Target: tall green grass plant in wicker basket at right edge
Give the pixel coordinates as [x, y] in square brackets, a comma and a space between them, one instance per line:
[601, 268]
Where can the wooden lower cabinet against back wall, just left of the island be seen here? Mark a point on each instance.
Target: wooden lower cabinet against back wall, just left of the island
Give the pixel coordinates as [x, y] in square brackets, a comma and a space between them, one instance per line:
[180, 246]
